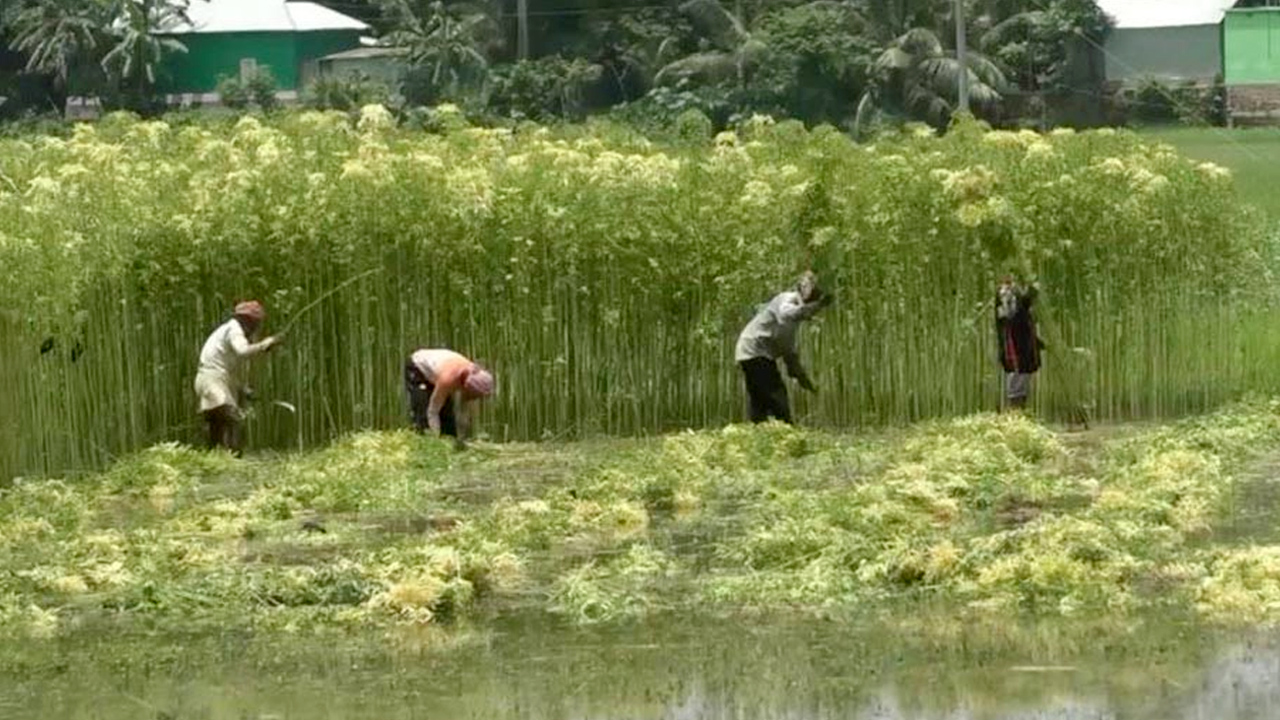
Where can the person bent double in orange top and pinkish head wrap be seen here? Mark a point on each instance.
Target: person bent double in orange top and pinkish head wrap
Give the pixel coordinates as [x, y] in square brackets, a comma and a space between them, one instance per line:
[433, 379]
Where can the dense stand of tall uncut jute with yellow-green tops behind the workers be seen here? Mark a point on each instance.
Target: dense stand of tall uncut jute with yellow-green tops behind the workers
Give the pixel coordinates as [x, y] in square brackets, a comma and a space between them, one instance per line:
[604, 279]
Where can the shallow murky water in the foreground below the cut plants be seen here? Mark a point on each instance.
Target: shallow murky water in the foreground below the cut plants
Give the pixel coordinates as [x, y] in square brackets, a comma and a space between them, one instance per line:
[673, 671]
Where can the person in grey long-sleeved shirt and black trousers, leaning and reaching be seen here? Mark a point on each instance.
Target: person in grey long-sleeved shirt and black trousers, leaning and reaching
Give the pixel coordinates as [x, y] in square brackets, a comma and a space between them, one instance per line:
[772, 335]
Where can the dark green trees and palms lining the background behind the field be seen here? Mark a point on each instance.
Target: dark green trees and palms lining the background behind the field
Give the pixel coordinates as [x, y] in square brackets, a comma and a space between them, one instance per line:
[845, 62]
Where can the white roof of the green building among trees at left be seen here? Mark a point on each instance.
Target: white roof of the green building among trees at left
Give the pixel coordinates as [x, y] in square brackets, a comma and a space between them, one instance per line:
[263, 16]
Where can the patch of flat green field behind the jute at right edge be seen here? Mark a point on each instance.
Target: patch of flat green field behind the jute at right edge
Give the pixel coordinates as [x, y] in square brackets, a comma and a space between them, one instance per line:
[1252, 154]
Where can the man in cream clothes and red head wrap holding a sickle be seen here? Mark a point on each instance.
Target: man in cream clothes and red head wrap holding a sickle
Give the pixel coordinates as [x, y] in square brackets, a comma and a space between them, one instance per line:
[221, 382]
